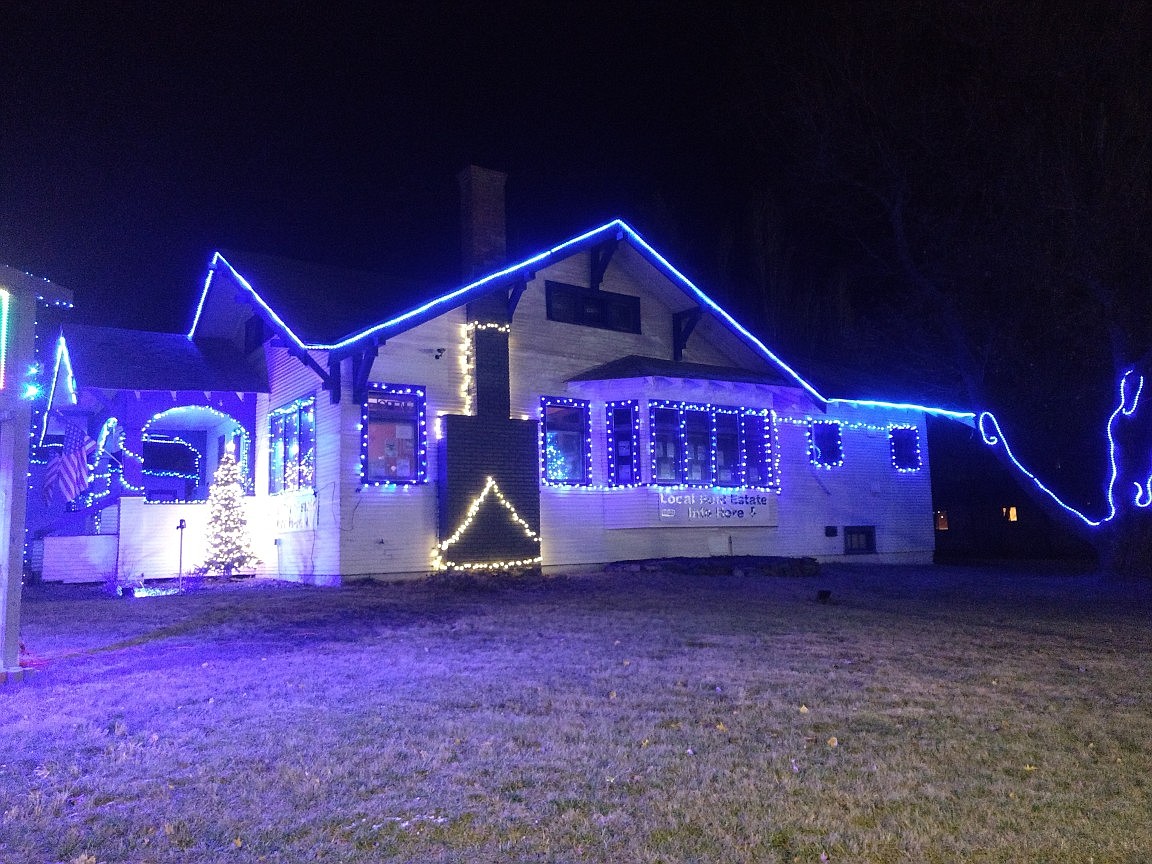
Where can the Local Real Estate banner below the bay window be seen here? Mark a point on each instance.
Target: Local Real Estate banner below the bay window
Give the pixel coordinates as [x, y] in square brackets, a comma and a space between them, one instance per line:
[680, 507]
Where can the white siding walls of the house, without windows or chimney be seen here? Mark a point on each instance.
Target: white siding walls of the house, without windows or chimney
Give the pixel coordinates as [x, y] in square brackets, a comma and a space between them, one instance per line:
[351, 530]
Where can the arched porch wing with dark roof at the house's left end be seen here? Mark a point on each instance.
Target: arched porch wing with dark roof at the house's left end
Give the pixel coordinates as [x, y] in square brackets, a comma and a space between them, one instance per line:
[161, 411]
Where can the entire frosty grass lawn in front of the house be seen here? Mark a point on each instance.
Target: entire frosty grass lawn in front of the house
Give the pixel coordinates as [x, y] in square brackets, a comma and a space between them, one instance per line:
[924, 715]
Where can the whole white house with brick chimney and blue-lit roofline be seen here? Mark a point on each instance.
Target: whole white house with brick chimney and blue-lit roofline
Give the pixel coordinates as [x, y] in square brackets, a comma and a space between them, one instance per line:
[582, 406]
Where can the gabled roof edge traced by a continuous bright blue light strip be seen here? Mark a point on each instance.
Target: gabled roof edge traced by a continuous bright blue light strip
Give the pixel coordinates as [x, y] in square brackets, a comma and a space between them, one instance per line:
[294, 321]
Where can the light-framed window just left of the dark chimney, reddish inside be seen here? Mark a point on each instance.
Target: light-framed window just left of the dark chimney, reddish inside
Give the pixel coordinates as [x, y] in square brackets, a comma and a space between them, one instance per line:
[395, 448]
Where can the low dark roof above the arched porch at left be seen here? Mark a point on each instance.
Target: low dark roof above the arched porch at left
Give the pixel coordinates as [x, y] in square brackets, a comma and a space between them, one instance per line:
[117, 359]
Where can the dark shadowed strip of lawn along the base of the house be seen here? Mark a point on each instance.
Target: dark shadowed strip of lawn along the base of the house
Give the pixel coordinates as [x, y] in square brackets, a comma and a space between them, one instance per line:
[69, 623]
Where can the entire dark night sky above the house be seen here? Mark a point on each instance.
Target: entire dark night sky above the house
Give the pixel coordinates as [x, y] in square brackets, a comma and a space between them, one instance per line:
[952, 201]
